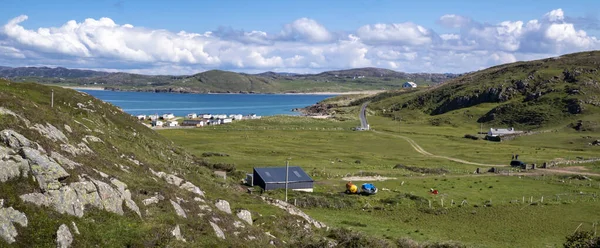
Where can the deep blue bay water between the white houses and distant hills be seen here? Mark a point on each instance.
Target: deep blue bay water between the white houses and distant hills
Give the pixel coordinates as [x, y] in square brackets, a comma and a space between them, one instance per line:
[137, 103]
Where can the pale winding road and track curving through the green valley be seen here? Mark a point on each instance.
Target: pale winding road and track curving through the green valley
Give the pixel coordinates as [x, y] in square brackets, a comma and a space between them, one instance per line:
[419, 149]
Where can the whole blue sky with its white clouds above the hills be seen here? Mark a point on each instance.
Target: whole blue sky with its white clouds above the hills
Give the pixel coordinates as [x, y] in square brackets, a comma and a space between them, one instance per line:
[300, 36]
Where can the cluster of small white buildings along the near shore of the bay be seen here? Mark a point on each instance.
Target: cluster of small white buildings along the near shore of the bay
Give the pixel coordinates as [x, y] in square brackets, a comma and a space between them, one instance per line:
[193, 119]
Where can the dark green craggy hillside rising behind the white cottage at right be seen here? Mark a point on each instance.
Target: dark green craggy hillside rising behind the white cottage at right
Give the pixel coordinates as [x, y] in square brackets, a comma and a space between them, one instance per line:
[534, 94]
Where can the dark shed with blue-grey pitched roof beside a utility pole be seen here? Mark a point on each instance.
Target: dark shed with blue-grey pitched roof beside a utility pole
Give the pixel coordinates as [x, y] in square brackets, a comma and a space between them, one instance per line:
[270, 178]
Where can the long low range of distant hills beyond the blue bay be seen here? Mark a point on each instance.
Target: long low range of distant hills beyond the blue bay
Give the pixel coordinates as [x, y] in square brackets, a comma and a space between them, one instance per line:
[218, 81]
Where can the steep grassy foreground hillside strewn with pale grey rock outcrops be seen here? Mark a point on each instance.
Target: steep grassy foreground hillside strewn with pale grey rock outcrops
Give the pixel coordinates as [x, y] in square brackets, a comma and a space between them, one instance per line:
[82, 173]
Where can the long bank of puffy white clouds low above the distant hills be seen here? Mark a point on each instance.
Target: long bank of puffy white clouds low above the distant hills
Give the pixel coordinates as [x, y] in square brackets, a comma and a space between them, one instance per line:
[303, 45]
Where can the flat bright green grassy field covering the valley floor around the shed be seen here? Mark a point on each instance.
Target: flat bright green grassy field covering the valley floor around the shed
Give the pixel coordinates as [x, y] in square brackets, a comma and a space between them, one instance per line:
[489, 210]
